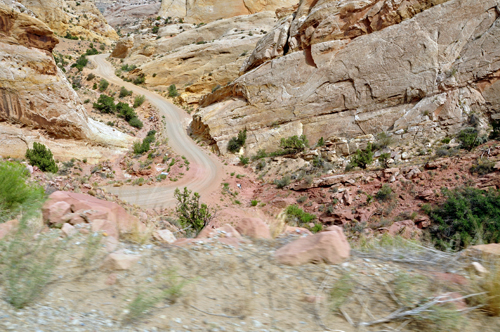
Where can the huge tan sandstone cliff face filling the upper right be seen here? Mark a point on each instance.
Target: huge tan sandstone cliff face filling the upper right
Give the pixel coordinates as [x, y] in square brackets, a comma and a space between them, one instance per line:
[416, 69]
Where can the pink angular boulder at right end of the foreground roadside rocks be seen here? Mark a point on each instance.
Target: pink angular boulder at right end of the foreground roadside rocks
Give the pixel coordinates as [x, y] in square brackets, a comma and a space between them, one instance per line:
[329, 247]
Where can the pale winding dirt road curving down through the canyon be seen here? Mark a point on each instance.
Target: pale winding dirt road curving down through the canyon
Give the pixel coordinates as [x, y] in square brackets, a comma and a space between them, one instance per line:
[208, 173]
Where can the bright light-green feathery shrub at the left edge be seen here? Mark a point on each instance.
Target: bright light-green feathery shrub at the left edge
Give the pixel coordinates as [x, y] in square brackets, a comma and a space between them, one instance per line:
[16, 194]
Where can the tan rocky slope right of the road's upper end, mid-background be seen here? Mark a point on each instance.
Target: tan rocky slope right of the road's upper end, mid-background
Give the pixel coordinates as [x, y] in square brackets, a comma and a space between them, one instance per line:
[195, 58]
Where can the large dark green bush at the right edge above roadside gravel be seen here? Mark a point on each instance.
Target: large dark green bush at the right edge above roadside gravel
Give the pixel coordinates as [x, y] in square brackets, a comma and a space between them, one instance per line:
[468, 216]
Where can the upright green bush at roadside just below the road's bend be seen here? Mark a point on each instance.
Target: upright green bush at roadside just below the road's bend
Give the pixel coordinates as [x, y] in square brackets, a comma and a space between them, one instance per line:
[192, 214]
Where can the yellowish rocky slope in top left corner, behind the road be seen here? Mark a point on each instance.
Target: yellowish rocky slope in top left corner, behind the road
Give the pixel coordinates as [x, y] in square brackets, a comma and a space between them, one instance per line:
[79, 18]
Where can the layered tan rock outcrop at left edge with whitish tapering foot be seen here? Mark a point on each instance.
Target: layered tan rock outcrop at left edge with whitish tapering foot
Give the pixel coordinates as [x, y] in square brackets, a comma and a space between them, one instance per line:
[35, 93]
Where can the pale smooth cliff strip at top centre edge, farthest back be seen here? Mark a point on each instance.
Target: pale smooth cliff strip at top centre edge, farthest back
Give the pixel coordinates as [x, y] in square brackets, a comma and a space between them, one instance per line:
[197, 11]
